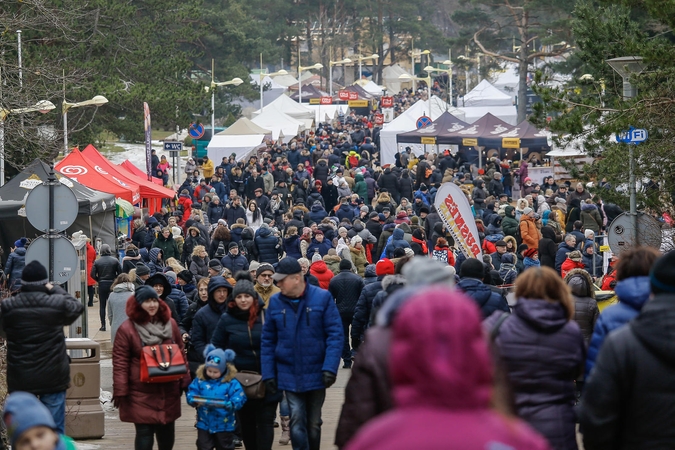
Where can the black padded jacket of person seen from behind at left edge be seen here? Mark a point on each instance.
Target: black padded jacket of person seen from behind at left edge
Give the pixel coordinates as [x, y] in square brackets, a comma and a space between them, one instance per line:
[33, 322]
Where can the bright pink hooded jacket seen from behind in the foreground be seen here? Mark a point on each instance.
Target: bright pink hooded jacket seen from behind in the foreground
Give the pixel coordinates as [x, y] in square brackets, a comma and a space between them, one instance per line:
[441, 372]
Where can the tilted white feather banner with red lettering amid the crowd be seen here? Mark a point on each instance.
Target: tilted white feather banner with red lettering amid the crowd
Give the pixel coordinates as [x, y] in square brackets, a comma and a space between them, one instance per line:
[455, 211]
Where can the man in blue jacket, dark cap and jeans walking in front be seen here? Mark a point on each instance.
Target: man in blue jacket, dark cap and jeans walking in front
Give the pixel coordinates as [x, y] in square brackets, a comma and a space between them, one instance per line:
[302, 343]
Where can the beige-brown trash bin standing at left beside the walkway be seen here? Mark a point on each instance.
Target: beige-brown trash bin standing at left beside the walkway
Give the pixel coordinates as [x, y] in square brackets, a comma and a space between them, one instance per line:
[84, 415]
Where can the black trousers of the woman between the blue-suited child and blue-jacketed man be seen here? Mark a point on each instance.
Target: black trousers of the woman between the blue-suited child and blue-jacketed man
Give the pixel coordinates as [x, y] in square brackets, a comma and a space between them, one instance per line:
[256, 418]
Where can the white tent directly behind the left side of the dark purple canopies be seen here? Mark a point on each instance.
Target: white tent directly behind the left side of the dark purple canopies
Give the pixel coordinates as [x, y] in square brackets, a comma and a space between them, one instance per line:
[407, 122]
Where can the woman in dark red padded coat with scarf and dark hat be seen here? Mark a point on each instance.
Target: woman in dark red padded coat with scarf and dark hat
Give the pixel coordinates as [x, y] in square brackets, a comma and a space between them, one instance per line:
[153, 408]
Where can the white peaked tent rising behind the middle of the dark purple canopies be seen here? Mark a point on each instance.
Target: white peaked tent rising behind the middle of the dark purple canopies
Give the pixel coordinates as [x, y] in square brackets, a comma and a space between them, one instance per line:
[485, 98]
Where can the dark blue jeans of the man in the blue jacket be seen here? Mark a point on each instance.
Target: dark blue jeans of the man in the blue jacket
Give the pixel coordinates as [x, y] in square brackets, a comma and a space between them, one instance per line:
[306, 418]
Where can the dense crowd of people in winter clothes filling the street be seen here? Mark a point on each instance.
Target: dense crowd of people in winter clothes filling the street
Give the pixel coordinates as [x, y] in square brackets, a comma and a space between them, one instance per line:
[310, 256]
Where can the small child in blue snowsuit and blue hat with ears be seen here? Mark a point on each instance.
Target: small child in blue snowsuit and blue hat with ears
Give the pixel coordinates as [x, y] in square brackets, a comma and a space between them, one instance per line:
[216, 395]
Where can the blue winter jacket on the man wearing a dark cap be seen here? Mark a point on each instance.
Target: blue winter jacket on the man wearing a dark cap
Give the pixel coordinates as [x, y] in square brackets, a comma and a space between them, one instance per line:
[301, 340]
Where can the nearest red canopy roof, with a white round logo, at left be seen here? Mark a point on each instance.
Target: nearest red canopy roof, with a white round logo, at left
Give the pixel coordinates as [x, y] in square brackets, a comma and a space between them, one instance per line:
[80, 168]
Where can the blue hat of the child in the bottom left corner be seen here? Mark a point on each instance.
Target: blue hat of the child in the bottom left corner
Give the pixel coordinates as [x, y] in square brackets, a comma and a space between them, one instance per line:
[24, 411]
